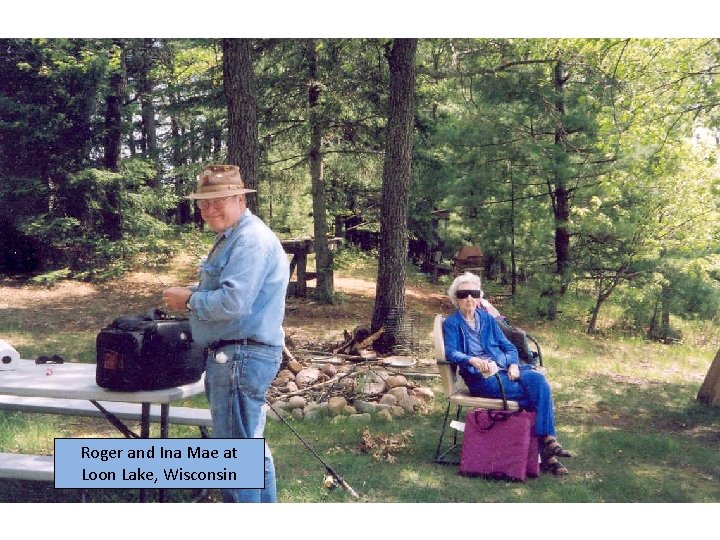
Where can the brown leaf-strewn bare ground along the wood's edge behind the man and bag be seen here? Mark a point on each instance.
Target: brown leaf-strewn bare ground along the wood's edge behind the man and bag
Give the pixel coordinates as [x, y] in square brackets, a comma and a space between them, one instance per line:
[74, 306]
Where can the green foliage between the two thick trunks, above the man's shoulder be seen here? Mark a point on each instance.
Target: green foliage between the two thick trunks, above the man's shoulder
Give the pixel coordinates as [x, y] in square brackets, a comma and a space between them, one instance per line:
[350, 113]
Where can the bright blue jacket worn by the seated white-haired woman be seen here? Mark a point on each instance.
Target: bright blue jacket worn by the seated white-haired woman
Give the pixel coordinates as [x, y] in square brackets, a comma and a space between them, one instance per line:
[494, 341]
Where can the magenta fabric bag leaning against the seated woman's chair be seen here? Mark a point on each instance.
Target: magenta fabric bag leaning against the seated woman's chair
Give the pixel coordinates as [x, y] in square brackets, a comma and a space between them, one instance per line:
[499, 444]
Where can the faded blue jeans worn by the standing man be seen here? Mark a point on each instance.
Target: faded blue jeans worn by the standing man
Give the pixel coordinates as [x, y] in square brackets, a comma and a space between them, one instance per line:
[236, 392]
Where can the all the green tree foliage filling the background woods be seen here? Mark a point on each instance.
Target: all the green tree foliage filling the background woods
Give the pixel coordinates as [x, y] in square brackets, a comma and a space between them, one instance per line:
[502, 127]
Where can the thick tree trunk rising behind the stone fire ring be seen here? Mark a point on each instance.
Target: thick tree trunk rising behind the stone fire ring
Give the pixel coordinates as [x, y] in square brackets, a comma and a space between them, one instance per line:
[390, 292]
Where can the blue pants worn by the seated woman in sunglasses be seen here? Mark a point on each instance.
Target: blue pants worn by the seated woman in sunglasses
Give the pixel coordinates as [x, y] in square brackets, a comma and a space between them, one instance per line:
[531, 391]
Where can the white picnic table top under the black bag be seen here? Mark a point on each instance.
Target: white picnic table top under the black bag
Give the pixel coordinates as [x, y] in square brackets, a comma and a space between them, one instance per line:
[77, 381]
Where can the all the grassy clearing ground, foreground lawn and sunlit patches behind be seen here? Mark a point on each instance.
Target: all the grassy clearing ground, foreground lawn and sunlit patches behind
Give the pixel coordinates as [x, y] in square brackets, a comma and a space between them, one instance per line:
[626, 407]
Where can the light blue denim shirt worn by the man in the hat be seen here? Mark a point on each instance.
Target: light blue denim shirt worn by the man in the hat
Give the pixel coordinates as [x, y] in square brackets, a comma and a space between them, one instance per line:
[241, 293]
